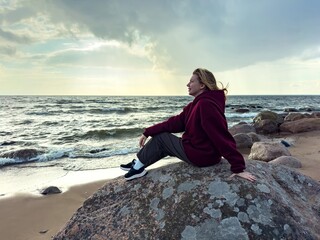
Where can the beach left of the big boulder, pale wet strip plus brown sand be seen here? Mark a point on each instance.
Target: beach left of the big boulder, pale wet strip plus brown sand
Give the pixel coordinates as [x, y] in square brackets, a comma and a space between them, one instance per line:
[30, 215]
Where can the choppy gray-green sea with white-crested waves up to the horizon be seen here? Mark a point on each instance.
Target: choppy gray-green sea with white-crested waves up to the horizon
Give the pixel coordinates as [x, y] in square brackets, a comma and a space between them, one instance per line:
[95, 132]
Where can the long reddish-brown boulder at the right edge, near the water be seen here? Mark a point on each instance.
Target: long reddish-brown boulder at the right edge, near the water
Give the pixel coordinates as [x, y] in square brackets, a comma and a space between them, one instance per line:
[301, 125]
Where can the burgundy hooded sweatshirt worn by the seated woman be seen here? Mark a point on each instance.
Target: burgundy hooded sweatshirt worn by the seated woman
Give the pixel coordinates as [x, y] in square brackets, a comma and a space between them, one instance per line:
[206, 137]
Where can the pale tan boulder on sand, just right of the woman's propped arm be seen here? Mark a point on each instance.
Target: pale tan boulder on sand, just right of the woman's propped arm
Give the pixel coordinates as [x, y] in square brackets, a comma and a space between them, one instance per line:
[267, 151]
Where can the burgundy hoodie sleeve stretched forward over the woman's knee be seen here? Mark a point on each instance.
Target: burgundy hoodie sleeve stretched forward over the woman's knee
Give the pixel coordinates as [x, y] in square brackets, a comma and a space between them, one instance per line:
[174, 124]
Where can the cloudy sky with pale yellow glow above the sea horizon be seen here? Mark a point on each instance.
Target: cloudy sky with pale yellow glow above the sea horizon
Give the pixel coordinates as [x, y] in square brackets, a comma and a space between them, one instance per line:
[151, 47]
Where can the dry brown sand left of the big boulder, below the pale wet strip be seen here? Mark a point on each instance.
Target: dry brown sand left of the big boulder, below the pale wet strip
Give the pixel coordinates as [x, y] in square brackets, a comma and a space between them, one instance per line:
[31, 217]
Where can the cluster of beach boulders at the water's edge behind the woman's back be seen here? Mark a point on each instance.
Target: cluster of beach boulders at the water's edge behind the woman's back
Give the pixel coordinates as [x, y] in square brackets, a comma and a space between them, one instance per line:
[265, 136]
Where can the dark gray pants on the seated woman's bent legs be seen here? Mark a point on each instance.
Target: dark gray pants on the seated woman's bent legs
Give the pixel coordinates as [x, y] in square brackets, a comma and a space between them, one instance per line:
[160, 146]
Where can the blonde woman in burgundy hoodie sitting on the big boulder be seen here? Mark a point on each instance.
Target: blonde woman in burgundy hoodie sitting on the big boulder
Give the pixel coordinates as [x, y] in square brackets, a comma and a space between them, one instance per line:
[205, 139]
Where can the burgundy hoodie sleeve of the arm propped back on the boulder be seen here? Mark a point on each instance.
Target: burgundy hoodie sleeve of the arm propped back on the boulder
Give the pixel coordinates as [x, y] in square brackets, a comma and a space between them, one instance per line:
[215, 124]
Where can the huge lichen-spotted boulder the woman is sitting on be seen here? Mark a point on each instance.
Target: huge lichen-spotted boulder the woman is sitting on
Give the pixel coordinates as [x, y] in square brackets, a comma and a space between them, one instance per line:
[180, 201]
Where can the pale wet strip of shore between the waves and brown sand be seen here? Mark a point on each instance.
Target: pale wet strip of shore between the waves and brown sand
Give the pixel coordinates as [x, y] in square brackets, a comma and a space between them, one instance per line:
[30, 181]
